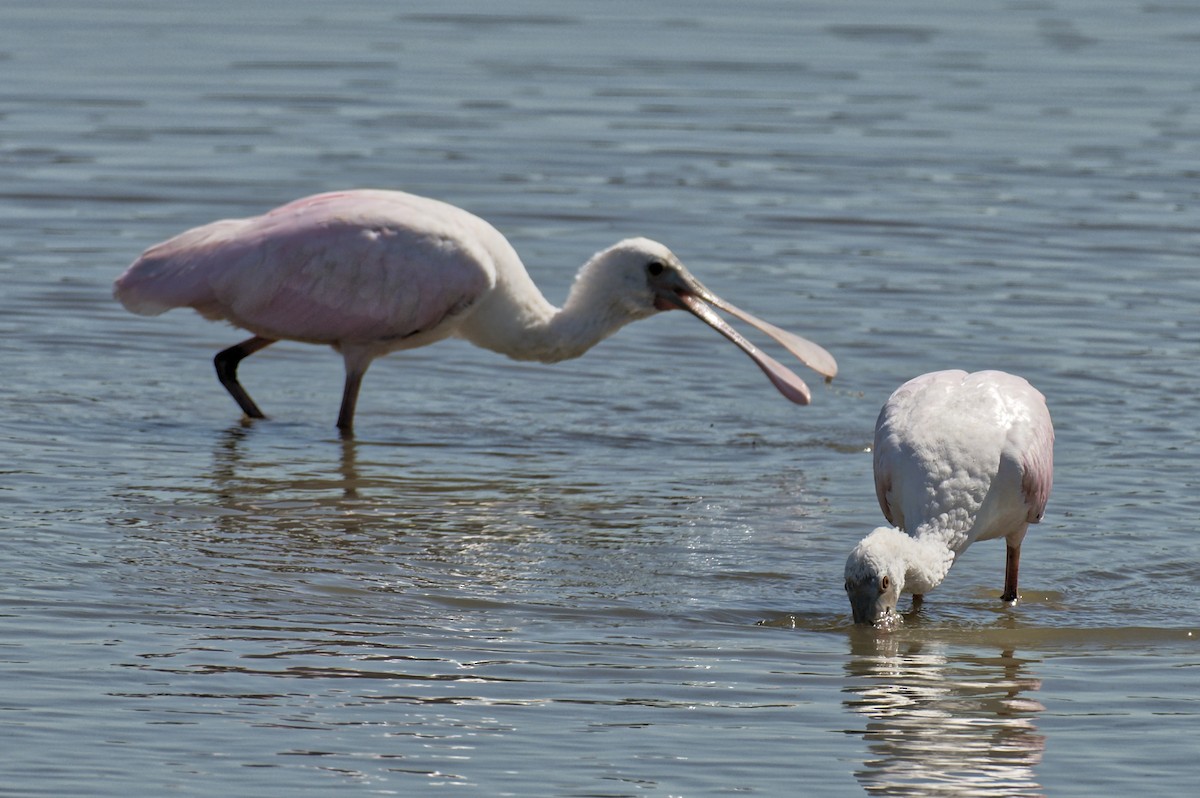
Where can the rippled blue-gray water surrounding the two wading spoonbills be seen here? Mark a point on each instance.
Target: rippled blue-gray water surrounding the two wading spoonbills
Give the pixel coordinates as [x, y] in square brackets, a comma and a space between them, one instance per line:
[620, 575]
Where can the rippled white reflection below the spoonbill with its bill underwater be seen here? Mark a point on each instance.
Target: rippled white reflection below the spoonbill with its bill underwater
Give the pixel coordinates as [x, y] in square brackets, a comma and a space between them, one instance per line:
[940, 725]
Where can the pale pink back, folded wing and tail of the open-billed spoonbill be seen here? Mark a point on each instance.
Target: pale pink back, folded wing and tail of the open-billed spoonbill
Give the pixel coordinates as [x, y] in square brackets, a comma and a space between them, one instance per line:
[350, 267]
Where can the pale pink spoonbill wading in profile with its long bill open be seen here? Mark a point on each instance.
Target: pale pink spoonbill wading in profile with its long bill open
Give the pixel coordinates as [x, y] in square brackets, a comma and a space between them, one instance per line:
[375, 272]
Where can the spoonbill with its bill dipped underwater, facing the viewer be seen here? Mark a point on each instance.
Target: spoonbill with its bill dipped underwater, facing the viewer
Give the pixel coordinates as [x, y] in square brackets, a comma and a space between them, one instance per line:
[958, 458]
